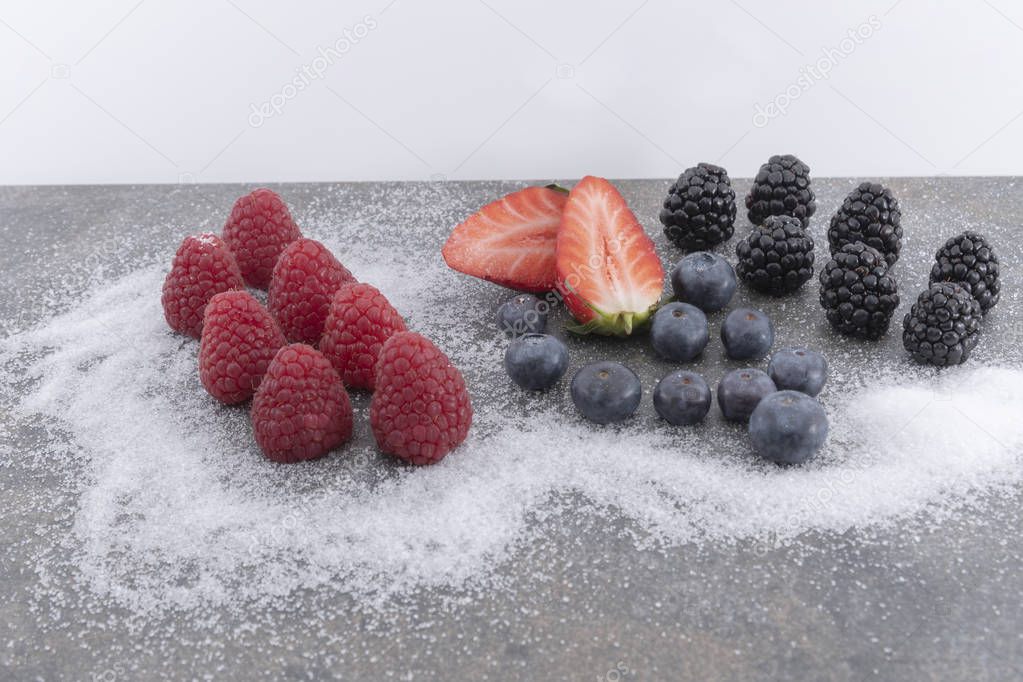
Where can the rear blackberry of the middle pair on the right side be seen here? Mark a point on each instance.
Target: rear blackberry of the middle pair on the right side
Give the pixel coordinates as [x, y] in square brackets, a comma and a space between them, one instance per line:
[870, 214]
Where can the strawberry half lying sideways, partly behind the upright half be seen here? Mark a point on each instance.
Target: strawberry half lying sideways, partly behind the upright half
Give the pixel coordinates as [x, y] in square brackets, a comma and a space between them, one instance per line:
[511, 242]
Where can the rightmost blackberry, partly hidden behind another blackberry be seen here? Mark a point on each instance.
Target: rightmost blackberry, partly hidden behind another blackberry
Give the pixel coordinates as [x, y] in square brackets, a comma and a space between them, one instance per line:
[969, 261]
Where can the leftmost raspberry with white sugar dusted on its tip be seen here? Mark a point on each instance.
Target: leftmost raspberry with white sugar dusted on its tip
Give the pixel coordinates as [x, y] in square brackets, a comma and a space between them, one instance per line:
[204, 266]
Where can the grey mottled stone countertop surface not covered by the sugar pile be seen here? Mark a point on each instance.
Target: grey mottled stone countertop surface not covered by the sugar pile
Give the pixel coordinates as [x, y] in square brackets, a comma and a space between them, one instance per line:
[921, 601]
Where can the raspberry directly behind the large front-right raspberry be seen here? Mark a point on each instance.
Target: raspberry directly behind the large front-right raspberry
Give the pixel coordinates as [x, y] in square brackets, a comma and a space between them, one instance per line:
[361, 320]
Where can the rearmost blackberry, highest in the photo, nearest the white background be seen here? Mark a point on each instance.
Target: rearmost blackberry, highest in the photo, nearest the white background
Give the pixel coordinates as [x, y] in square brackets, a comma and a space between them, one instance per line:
[782, 189]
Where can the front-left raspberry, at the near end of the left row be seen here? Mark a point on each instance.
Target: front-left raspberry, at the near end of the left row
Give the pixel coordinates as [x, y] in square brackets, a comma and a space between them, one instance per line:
[301, 411]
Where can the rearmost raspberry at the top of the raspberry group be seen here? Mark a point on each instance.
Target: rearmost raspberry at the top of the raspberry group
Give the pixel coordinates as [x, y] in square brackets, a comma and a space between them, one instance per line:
[258, 230]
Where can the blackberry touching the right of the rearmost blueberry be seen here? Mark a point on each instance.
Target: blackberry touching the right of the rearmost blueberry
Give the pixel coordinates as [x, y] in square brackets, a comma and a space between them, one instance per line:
[778, 257]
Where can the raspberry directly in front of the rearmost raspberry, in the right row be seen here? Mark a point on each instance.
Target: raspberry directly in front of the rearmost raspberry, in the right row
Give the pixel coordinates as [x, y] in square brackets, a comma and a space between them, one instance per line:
[305, 279]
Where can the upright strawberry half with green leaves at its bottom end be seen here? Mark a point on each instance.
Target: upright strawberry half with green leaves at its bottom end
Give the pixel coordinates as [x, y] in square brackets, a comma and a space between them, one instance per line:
[608, 270]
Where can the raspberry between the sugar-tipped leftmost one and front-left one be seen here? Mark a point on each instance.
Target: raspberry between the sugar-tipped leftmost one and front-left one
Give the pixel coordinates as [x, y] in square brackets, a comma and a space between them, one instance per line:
[240, 340]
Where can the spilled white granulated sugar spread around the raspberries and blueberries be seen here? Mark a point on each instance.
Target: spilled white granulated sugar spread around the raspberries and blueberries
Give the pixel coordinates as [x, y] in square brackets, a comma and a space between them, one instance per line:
[179, 510]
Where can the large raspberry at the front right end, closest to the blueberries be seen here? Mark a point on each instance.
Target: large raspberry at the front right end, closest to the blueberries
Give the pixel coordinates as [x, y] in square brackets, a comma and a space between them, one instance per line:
[421, 411]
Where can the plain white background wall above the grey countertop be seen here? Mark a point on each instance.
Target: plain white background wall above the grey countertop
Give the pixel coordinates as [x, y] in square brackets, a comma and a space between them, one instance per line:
[161, 92]
